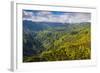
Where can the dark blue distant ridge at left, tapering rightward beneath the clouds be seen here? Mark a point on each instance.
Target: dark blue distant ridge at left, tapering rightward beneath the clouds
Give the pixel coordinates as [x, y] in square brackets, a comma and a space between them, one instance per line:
[36, 26]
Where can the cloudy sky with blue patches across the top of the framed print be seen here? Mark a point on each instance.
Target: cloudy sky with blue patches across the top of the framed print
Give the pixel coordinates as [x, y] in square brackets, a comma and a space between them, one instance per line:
[56, 16]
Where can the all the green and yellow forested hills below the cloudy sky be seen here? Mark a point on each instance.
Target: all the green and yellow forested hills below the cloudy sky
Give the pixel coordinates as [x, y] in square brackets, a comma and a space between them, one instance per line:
[49, 41]
